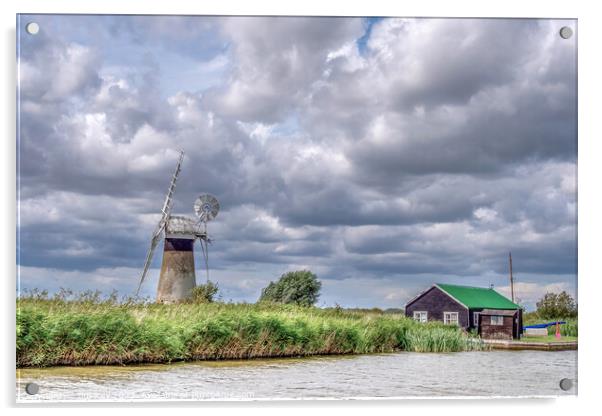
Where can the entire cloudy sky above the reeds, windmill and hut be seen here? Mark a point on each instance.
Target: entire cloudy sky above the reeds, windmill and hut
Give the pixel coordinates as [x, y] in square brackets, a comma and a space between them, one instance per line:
[382, 154]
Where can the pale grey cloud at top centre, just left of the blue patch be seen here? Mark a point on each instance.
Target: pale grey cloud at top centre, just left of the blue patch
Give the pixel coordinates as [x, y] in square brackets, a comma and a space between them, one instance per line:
[277, 62]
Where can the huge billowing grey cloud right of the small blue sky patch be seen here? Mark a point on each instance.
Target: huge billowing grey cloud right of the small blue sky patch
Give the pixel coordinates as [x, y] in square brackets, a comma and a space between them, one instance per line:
[517, 99]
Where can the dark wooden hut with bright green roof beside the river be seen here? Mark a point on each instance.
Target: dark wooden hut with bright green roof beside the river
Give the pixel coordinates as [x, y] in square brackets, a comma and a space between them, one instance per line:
[491, 314]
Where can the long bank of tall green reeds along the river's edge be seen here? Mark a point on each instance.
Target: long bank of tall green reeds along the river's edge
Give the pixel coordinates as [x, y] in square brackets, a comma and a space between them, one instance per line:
[90, 331]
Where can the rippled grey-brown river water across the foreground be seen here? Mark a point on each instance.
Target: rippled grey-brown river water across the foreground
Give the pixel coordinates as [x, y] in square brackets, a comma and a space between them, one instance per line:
[488, 373]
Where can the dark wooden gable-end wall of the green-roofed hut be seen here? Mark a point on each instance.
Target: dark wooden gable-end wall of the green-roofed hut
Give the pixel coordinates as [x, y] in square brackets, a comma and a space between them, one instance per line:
[435, 302]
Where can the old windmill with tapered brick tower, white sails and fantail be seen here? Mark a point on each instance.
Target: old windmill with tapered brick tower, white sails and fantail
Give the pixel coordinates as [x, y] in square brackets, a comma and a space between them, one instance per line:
[177, 278]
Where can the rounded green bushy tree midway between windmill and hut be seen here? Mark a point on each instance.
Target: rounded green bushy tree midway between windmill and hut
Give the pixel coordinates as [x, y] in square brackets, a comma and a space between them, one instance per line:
[301, 287]
